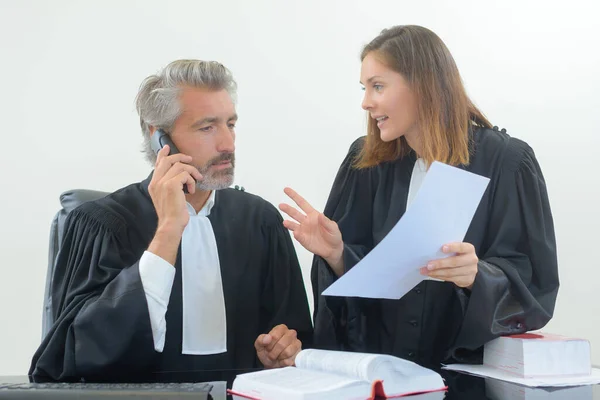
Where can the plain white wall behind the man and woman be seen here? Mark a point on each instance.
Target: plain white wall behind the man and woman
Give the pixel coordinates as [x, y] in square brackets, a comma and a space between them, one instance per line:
[70, 70]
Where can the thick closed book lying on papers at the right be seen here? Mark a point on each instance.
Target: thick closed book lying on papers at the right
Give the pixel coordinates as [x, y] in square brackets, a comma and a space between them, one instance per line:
[532, 355]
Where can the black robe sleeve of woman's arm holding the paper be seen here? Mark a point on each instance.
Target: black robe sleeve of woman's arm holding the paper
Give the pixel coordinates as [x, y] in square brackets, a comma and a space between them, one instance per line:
[517, 281]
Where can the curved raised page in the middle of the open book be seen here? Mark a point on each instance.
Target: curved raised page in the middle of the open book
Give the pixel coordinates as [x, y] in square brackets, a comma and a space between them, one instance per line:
[352, 365]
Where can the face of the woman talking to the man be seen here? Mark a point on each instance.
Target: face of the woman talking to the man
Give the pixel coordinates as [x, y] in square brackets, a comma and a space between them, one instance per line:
[389, 100]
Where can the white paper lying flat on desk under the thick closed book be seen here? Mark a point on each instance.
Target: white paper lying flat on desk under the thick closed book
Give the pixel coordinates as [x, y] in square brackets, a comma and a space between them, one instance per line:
[484, 370]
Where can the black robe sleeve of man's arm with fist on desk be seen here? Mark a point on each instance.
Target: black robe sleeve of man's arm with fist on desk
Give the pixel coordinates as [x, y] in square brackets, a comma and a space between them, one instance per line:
[284, 299]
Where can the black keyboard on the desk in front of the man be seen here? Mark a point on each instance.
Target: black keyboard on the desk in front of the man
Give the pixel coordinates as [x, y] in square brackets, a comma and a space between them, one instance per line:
[56, 390]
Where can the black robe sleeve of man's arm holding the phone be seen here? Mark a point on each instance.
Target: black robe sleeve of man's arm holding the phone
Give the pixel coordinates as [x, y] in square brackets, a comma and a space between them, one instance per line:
[102, 326]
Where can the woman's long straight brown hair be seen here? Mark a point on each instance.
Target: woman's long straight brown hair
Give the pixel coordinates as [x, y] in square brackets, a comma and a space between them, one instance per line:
[444, 111]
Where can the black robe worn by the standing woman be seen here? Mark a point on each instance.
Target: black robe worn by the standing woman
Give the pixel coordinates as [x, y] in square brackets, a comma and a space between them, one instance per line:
[517, 281]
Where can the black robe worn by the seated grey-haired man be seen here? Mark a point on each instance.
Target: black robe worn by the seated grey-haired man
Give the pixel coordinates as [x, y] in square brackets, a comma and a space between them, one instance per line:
[102, 330]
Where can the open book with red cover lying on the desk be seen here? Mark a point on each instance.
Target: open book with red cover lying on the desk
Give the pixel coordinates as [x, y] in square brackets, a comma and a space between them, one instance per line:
[322, 374]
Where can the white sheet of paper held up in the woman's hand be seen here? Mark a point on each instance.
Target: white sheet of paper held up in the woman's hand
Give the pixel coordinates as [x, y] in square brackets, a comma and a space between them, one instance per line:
[440, 213]
